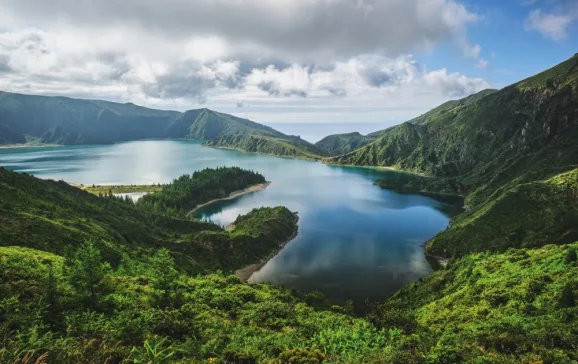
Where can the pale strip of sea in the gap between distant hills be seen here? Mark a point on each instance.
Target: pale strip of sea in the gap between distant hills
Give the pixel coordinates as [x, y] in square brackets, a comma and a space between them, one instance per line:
[313, 132]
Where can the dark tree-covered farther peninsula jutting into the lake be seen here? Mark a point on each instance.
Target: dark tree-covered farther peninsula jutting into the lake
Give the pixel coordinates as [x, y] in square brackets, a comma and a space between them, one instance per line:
[188, 191]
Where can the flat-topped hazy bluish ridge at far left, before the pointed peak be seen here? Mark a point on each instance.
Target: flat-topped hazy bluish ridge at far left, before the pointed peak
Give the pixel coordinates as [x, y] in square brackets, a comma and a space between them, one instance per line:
[63, 120]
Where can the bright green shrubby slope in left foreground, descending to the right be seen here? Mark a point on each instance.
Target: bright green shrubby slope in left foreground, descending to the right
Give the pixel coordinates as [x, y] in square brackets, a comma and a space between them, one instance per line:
[215, 319]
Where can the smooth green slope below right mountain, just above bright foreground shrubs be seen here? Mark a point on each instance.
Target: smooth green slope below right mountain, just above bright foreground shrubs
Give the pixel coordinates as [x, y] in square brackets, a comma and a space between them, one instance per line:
[527, 215]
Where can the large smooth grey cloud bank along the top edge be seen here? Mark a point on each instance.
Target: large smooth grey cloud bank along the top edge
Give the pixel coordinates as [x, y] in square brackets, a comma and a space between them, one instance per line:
[288, 29]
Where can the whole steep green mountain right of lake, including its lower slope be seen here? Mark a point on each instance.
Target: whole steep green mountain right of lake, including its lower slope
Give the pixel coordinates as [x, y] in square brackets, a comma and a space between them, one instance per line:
[508, 151]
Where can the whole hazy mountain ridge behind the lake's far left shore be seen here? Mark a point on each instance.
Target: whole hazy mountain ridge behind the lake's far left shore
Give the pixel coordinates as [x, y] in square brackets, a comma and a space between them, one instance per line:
[63, 120]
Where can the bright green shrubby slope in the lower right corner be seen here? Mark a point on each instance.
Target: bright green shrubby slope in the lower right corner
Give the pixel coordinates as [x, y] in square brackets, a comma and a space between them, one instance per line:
[501, 308]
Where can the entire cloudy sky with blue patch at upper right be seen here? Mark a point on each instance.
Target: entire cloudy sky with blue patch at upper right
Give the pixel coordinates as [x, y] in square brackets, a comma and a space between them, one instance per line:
[327, 62]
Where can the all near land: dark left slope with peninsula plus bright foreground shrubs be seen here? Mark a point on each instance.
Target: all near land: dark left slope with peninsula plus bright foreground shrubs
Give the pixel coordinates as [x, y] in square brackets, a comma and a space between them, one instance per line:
[85, 299]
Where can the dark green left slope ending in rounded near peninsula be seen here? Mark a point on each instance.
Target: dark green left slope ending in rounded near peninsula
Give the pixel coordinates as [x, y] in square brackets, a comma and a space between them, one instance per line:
[56, 217]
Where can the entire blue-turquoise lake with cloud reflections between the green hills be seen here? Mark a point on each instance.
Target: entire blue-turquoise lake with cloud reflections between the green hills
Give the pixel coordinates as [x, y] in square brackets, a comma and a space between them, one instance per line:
[355, 240]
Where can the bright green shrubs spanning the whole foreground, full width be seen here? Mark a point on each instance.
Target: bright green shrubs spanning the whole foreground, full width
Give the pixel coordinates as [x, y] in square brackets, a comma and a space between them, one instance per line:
[518, 306]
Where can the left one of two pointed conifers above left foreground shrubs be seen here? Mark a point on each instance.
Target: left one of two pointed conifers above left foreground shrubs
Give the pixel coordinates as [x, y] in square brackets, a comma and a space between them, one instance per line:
[87, 271]
